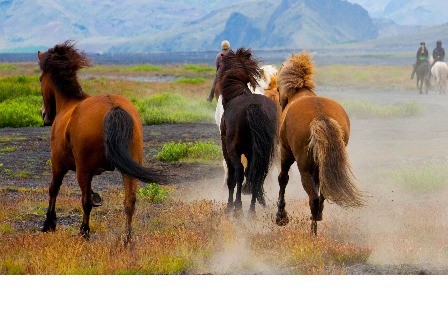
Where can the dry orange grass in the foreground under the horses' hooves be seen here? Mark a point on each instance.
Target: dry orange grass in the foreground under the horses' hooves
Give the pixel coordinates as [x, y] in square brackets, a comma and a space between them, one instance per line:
[171, 238]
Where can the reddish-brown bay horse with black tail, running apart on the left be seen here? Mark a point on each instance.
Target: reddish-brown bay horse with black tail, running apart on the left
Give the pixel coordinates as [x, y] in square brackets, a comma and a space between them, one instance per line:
[89, 135]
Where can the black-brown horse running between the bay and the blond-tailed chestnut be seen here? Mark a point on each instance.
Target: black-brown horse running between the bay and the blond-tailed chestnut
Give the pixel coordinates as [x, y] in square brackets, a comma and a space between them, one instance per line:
[248, 128]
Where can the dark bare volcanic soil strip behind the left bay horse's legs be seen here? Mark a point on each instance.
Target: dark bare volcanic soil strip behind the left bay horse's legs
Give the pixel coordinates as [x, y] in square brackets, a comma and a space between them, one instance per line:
[31, 154]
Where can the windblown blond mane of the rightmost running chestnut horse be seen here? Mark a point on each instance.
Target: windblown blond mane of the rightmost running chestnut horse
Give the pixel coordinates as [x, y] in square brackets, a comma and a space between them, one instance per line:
[296, 73]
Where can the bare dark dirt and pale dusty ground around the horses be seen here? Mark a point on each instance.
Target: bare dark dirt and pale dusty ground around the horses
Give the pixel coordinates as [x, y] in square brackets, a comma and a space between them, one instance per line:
[408, 231]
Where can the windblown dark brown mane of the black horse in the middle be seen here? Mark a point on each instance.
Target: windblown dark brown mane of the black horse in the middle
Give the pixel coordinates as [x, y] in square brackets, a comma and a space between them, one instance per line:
[240, 70]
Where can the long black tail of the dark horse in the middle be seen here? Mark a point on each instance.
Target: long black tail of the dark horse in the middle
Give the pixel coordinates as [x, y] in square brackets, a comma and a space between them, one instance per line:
[263, 130]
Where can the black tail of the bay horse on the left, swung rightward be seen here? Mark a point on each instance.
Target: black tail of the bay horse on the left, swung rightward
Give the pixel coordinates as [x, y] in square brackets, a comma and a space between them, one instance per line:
[118, 135]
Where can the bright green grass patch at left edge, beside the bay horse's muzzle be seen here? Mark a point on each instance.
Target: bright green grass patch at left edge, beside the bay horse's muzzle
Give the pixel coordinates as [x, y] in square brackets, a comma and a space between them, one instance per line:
[21, 112]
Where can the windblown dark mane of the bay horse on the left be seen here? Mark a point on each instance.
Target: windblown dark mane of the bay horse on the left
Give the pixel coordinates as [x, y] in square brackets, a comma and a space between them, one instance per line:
[63, 62]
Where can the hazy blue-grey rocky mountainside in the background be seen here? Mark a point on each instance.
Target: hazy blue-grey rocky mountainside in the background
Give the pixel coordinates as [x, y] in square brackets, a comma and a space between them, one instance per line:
[171, 25]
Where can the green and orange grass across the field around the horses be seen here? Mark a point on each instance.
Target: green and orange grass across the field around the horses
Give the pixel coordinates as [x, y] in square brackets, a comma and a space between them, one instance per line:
[171, 235]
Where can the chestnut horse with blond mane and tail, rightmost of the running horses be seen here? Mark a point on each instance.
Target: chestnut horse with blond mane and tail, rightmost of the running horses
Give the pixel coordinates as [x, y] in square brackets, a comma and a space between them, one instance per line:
[313, 132]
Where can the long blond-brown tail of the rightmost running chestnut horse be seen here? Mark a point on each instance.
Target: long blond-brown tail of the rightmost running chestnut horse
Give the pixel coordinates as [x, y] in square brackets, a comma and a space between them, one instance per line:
[327, 148]
